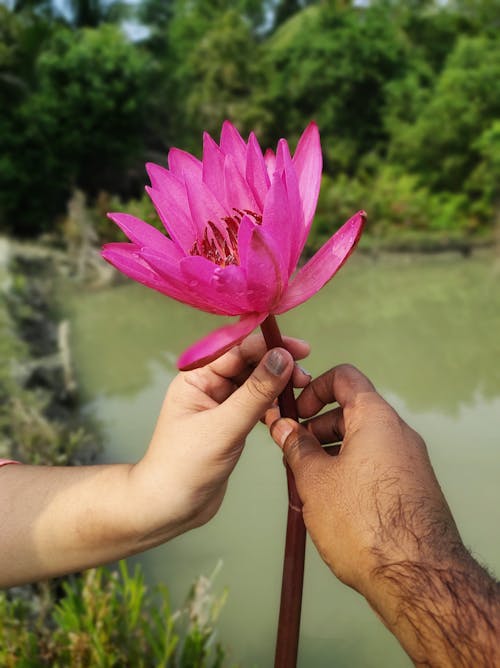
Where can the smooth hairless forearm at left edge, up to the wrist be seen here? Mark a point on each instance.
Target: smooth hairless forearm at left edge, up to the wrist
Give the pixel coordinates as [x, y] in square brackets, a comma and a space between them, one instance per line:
[57, 520]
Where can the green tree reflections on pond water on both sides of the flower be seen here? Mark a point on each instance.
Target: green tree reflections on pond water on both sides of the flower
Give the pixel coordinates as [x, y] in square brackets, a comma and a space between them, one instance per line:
[426, 329]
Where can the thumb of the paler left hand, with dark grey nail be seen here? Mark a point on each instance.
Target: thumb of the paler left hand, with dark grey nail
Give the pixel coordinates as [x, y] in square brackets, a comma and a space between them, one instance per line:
[244, 408]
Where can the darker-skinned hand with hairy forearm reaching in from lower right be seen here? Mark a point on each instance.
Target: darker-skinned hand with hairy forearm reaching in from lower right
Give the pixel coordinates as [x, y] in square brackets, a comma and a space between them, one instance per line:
[380, 521]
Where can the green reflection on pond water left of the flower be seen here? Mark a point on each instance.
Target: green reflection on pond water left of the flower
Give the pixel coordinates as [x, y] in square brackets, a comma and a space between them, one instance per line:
[121, 335]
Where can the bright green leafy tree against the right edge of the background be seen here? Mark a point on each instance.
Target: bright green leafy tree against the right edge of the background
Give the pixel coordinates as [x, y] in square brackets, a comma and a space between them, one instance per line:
[442, 145]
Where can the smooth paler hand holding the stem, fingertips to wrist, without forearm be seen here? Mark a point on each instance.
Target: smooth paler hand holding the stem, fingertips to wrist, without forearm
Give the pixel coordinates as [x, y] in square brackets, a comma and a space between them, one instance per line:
[205, 419]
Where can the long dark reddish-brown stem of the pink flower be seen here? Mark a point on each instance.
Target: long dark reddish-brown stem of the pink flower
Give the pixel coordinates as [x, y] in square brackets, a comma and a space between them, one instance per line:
[287, 640]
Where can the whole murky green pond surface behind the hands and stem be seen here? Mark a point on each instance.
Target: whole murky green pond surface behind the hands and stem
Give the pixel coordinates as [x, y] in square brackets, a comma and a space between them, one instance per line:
[426, 330]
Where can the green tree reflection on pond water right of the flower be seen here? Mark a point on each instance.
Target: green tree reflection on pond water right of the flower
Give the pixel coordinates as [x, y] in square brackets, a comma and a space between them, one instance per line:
[425, 329]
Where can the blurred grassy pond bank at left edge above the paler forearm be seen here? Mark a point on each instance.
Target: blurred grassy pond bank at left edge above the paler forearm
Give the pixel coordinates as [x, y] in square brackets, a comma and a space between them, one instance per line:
[39, 413]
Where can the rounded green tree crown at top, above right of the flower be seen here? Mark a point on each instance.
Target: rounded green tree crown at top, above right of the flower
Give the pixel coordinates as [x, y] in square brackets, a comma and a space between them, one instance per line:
[332, 63]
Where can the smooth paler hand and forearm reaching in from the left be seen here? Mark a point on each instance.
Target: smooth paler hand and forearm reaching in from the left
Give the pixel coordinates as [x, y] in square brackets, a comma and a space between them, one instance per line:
[56, 520]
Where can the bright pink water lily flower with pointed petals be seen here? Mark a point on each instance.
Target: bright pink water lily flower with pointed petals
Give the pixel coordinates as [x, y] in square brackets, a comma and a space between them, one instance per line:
[237, 222]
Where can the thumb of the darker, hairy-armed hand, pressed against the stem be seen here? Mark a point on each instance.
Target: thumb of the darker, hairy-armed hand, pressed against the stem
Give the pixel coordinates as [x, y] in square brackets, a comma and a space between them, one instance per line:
[301, 449]
